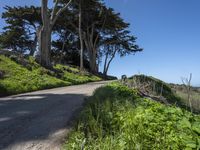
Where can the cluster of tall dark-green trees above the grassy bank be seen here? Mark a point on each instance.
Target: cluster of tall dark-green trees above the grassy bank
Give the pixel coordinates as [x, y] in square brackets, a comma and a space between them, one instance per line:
[87, 31]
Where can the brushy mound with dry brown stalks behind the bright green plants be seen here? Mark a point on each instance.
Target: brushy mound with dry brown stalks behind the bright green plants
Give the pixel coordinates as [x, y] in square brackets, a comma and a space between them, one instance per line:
[174, 94]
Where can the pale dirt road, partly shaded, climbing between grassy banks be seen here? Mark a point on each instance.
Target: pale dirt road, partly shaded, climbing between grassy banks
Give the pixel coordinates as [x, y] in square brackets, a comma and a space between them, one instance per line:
[40, 120]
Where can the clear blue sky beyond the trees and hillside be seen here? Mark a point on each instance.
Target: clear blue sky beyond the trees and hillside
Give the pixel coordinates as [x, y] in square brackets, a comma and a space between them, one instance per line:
[168, 30]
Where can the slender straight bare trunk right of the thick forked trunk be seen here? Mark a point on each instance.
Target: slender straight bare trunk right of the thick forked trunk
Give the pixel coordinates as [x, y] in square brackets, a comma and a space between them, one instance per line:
[80, 36]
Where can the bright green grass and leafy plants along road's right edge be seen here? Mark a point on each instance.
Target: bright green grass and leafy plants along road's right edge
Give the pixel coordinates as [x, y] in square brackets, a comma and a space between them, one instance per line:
[115, 117]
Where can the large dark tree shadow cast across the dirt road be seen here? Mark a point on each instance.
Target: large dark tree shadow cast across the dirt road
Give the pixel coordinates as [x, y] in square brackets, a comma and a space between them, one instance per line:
[35, 117]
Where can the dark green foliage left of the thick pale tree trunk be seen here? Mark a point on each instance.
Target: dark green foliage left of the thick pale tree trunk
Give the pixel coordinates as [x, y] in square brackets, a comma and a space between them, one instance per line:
[20, 32]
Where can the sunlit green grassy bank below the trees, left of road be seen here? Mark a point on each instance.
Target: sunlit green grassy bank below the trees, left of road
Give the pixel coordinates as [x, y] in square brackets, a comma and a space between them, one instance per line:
[18, 75]
